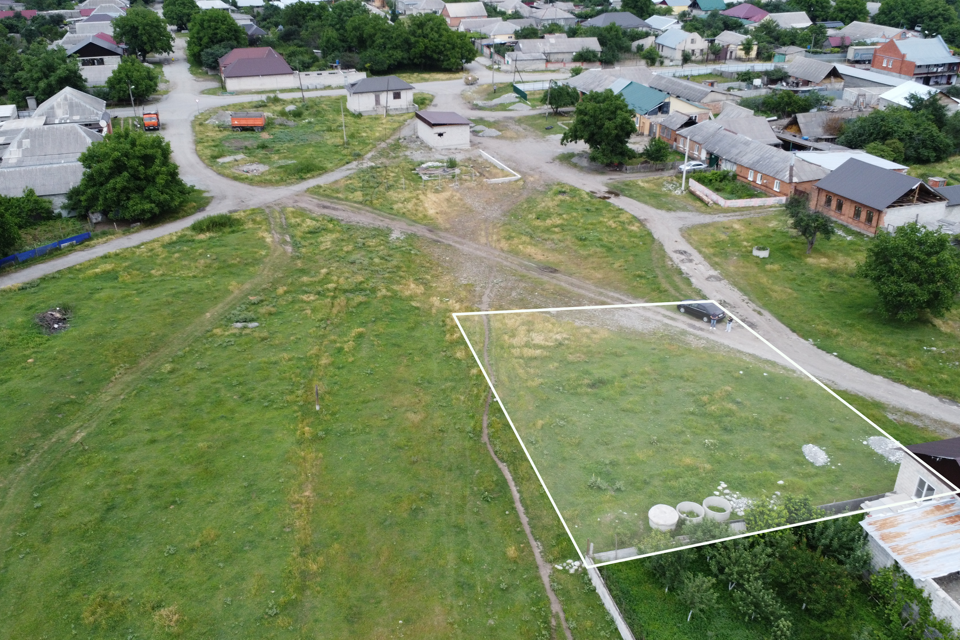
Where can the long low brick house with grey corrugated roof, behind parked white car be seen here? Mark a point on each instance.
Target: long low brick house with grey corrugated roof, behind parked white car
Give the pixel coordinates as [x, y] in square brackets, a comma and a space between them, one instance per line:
[763, 166]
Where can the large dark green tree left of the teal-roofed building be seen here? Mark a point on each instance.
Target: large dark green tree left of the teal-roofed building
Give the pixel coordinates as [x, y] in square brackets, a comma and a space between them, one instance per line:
[605, 122]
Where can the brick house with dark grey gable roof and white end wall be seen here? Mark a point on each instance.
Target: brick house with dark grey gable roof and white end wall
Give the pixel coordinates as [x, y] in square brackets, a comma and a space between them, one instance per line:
[867, 198]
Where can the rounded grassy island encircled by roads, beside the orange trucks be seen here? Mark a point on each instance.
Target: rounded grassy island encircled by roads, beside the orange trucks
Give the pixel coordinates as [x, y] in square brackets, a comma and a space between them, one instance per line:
[311, 148]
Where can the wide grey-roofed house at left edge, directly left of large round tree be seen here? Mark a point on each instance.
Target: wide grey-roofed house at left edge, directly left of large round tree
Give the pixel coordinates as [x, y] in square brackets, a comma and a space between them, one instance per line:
[45, 159]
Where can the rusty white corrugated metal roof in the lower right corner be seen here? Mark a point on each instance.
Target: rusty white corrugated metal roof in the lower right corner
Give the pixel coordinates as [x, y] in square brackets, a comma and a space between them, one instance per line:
[925, 541]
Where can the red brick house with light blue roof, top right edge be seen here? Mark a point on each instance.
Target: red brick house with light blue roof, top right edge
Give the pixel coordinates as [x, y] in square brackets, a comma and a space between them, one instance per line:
[928, 61]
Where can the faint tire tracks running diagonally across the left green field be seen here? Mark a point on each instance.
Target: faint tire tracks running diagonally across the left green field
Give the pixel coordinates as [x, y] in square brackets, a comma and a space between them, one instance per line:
[56, 446]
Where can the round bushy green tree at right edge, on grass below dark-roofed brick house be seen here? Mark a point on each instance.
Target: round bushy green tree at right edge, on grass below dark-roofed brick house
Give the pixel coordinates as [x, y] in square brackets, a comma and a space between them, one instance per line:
[913, 269]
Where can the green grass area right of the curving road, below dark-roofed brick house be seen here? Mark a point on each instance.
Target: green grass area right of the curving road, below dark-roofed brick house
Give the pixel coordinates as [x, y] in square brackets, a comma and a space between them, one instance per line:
[820, 297]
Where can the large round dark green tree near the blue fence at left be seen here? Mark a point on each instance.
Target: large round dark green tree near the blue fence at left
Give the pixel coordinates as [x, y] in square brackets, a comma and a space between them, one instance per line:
[129, 175]
